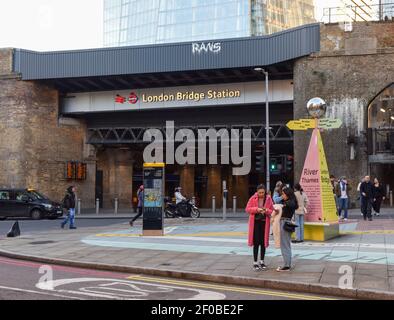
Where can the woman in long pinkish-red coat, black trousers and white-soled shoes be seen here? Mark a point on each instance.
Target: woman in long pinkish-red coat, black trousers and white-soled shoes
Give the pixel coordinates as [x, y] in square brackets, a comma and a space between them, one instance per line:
[259, 208]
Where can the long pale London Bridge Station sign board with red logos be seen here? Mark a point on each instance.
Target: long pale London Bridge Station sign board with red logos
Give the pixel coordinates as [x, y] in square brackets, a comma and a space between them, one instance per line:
[177, 97]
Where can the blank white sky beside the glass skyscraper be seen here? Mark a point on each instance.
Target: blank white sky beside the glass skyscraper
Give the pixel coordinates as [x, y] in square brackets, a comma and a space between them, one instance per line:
[48, 25]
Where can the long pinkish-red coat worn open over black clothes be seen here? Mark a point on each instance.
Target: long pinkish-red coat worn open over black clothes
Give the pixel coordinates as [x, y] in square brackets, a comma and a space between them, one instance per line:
[251, 209]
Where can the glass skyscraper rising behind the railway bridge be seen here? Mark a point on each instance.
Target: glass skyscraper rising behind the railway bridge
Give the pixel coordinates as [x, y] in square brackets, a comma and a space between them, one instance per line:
[137, 22]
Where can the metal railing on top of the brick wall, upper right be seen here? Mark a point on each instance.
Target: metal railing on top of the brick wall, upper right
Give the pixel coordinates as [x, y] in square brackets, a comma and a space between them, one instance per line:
[378, 12]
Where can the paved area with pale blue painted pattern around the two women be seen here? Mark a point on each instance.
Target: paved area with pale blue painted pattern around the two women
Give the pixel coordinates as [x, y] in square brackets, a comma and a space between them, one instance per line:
[359, 264]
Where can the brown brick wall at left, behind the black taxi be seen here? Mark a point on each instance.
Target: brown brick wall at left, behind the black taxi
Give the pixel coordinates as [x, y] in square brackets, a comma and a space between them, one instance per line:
[35, 144]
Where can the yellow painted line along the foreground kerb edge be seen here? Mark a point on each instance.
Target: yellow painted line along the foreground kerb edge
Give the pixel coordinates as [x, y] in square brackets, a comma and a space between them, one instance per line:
[228, 288]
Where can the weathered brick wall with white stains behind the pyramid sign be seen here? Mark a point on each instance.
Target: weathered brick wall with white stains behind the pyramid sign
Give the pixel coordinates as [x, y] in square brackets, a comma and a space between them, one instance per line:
[349, 71]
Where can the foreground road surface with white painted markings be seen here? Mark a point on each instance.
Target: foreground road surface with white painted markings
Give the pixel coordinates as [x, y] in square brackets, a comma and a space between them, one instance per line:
[24, 280]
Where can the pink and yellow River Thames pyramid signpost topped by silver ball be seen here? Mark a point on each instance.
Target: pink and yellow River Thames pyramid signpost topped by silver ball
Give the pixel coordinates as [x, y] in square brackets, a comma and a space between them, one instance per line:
[321, 218]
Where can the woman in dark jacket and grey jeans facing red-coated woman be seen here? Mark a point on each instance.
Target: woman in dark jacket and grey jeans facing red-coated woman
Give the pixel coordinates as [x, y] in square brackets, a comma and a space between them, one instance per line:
[290, 205]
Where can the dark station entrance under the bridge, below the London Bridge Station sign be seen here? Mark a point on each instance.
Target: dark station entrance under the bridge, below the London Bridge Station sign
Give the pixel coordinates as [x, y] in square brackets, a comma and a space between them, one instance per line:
[119, 144]
